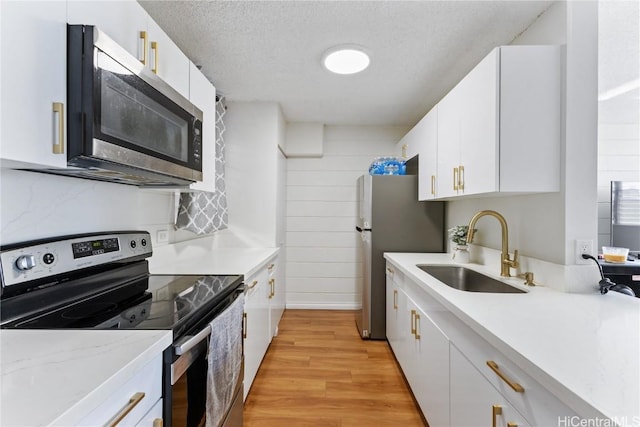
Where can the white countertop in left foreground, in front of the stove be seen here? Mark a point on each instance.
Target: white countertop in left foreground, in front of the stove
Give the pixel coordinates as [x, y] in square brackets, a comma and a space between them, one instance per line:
[56, 377]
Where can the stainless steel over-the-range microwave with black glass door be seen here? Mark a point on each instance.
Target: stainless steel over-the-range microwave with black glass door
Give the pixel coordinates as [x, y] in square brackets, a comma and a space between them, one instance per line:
[125, 124]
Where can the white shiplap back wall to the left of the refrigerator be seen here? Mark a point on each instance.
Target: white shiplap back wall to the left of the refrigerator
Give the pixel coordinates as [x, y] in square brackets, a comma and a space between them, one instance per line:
[324, 267]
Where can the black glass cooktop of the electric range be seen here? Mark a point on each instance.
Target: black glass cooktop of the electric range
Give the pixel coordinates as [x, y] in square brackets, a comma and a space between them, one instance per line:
[171, 302]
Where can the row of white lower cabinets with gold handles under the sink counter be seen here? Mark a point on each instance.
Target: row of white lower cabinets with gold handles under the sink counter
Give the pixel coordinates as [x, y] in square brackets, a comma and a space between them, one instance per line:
[456, 376]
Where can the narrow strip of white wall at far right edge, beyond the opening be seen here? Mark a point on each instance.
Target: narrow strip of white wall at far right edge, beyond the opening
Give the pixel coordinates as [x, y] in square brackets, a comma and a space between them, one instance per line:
[618, 116]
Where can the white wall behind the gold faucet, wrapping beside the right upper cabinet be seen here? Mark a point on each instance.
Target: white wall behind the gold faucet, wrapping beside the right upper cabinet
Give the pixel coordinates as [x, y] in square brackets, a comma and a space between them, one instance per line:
[545, 226]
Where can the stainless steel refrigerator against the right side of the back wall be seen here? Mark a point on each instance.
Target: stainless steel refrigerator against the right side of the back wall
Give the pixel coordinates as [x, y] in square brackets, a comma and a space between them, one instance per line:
[391, 219]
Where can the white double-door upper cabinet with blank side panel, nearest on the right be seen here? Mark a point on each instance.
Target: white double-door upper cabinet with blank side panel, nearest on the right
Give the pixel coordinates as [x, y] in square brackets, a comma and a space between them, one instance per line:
[499, 128]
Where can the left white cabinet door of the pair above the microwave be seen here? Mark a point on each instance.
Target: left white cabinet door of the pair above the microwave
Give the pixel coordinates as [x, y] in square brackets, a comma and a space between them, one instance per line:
[123, 21]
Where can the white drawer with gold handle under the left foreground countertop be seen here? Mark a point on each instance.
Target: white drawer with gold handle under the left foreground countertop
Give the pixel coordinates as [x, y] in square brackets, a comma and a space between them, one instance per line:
[147, 380]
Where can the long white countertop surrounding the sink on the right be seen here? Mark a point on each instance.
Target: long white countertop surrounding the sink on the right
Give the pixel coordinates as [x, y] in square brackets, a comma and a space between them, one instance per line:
[584, 348]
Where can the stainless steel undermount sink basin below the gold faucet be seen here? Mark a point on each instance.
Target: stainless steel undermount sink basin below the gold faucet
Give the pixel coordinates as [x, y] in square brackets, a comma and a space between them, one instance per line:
[468, 280]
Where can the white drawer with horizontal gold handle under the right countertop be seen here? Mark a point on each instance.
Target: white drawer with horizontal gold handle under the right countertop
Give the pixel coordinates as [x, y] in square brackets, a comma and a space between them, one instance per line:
[533, 401]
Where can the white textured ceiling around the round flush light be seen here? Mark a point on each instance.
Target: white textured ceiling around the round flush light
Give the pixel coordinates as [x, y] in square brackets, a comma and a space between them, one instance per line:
[271, 51]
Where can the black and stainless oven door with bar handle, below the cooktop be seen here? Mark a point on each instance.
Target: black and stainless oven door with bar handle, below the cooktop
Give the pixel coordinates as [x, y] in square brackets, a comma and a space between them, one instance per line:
[186, 380]
